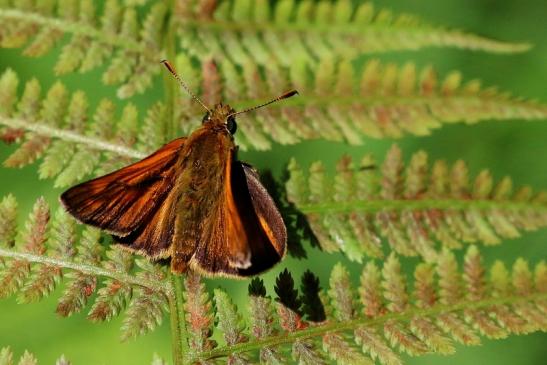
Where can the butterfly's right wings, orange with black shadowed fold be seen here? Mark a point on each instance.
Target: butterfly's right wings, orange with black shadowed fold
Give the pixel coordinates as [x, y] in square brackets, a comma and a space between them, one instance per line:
[255, 237]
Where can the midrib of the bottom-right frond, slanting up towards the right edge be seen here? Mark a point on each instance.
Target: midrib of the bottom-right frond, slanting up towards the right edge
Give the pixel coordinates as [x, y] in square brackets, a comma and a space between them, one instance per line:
[287, 338]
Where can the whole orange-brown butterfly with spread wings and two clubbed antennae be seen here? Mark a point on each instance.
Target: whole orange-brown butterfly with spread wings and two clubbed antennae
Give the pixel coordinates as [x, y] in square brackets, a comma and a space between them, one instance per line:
[192, 201]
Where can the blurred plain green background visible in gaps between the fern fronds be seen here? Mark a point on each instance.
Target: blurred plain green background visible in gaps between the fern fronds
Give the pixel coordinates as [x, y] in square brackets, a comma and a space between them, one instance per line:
[514, 148]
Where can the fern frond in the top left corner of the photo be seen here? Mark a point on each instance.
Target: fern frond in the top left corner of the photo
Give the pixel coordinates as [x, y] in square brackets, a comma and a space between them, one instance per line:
[114, 37]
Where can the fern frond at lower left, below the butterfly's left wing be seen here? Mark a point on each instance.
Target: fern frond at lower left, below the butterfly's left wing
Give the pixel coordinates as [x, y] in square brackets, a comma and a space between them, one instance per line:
[47, 252]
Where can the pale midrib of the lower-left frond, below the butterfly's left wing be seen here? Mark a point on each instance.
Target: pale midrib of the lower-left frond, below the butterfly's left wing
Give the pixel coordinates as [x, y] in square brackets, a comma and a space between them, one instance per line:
[88, 269]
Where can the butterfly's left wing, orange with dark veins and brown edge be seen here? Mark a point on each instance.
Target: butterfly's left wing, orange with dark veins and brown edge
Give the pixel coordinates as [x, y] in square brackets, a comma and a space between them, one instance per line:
[121, 201]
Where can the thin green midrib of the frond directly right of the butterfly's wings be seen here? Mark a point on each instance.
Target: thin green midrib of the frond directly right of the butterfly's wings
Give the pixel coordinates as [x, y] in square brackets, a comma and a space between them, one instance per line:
[373, 206]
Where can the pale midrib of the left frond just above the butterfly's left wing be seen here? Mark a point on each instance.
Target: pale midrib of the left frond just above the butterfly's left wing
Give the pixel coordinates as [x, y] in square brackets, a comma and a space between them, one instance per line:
[70, 136]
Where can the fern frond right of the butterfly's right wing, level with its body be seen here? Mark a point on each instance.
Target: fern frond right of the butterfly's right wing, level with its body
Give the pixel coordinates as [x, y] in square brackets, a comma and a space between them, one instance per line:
[412, 207]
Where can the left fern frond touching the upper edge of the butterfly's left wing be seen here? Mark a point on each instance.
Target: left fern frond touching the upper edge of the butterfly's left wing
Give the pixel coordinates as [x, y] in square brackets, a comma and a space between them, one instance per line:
[73, 142]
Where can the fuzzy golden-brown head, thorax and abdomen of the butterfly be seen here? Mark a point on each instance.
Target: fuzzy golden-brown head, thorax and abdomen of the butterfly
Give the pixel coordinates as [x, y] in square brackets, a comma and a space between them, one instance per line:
[201, 182]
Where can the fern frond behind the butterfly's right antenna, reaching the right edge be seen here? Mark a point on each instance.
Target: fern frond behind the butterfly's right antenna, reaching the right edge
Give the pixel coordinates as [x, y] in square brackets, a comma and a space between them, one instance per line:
[341, 102]
